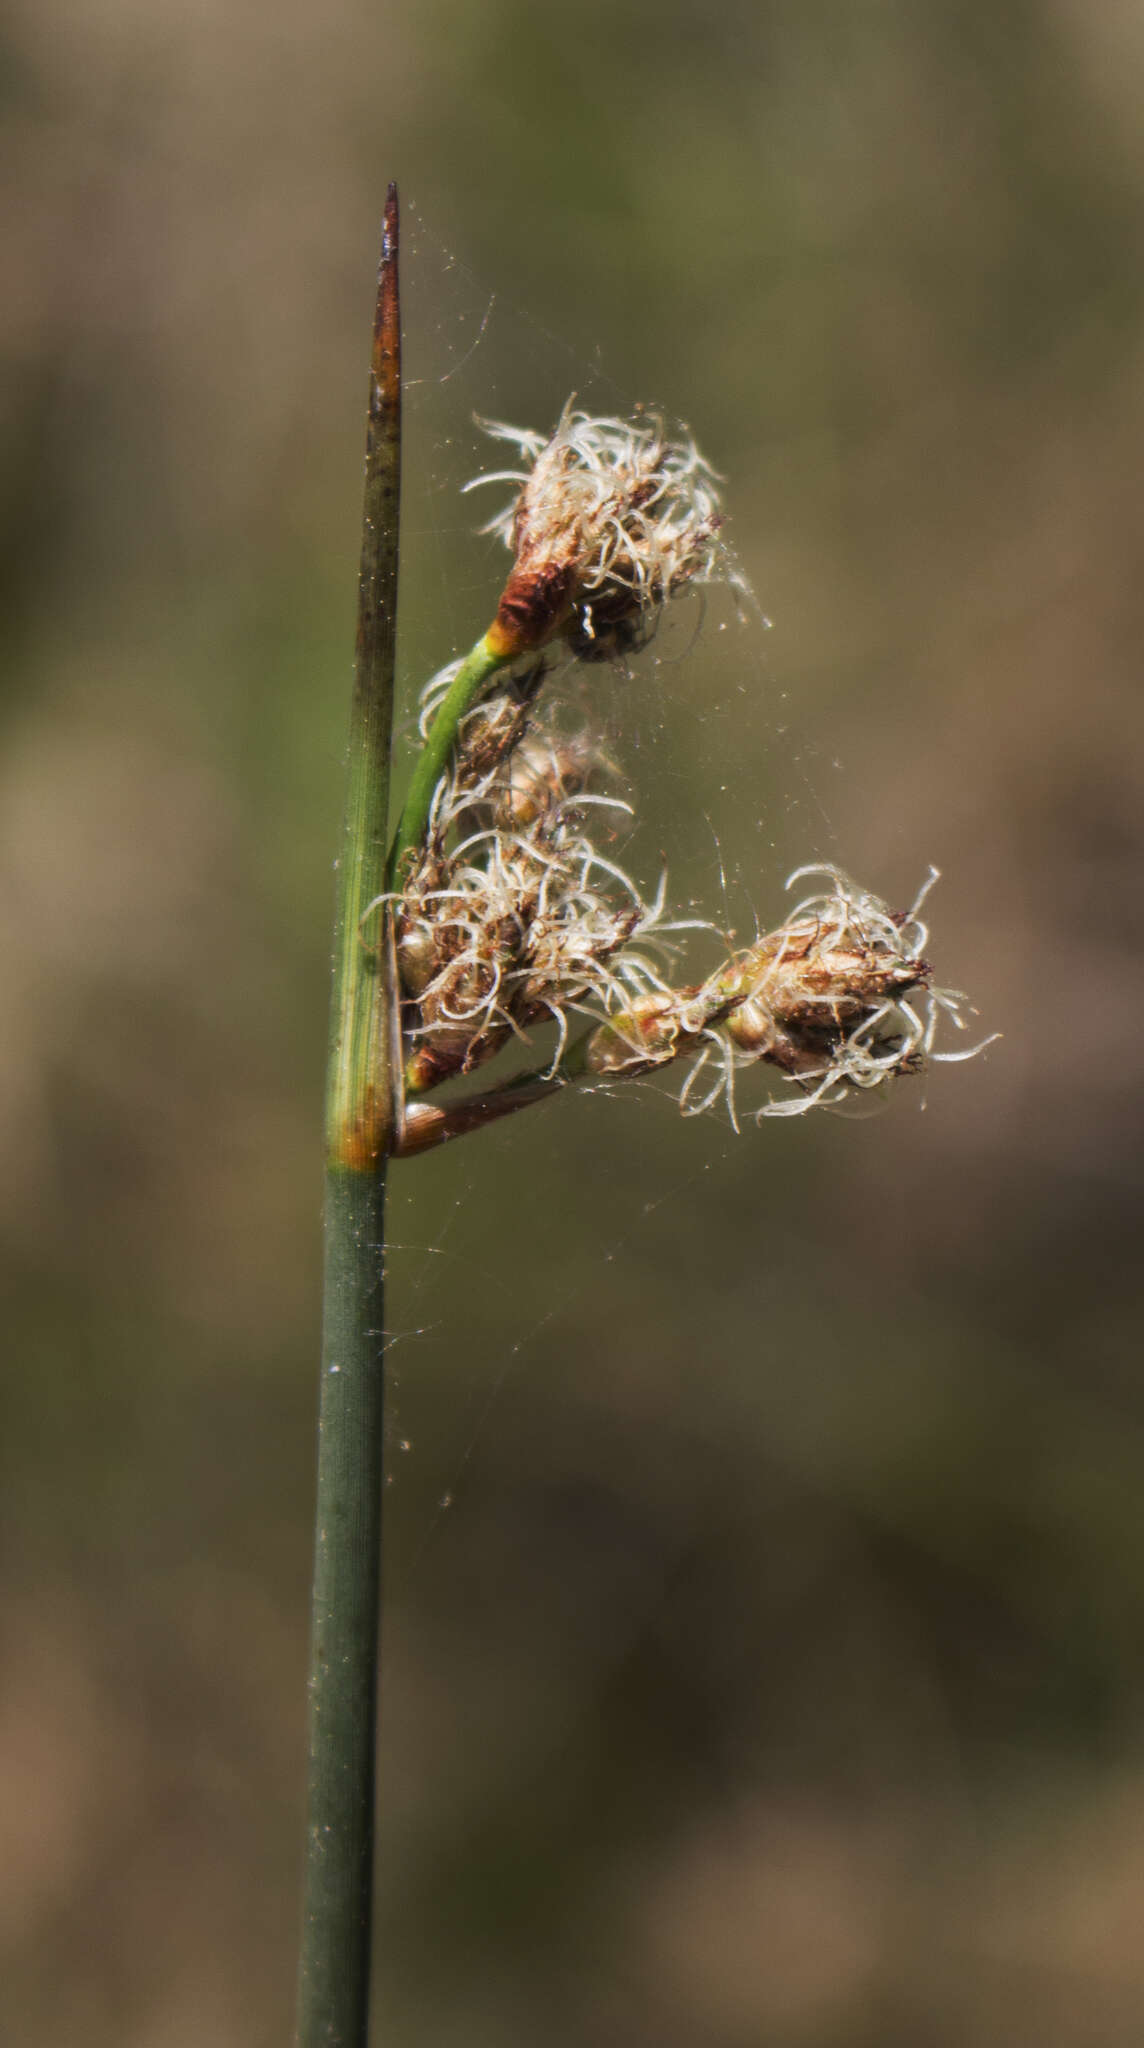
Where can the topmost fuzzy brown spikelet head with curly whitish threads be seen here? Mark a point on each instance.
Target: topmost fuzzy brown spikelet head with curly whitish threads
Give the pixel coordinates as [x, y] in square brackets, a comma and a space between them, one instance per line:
[611, 521]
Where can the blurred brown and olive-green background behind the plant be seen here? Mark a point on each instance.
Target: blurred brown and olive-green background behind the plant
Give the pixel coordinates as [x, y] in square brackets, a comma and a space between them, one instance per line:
[777, 1668]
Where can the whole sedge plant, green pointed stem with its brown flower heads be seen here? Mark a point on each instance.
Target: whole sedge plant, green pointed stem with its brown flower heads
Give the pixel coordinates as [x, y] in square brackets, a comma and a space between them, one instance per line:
[498, 919]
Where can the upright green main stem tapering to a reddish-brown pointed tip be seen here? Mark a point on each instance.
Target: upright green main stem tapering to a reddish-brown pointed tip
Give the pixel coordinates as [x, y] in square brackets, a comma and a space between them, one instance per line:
[335, 1969]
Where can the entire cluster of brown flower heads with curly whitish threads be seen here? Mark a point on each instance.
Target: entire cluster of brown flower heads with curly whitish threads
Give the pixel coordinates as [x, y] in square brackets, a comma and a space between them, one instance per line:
[511, 916]
